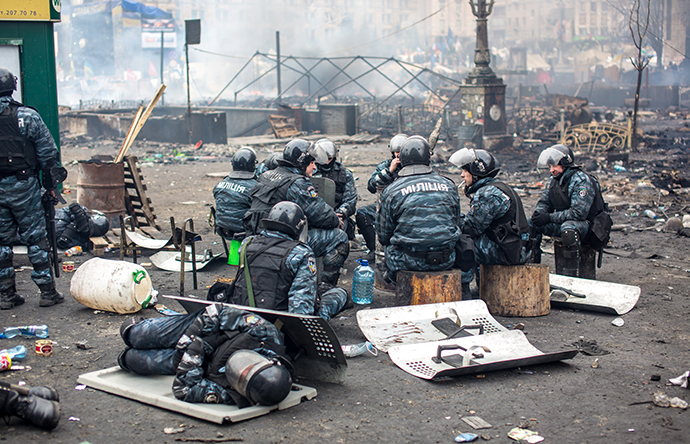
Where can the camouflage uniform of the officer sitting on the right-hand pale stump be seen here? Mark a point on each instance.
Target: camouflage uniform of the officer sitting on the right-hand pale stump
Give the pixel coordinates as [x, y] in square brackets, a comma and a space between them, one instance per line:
[488, 204]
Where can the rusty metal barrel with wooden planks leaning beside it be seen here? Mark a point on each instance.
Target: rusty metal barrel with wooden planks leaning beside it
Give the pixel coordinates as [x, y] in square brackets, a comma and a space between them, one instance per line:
[101, 186]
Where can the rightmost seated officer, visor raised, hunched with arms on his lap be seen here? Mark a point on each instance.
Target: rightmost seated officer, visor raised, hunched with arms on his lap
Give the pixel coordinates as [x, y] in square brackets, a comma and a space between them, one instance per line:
[569, 205]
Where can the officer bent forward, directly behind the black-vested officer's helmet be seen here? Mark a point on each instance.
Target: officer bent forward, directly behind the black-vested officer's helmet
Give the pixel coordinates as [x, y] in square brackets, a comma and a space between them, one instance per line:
[290, 182]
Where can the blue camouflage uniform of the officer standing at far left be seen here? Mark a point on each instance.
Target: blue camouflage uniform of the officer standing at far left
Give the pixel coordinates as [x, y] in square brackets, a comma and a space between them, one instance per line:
[21, 212]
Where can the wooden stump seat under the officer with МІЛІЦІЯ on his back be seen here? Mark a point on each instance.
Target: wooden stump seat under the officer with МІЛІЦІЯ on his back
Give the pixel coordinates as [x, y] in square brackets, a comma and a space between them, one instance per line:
[428, 287]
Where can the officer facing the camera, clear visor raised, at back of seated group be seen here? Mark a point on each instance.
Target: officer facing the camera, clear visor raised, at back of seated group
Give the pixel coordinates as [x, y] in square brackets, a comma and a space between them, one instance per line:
[345, 190]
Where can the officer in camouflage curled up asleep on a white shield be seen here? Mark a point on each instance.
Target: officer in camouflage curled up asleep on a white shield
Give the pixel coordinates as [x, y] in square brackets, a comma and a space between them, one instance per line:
[220, 355]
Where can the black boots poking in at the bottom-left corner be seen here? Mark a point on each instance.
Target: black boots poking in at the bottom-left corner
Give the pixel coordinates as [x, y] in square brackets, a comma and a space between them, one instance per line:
[36, 410]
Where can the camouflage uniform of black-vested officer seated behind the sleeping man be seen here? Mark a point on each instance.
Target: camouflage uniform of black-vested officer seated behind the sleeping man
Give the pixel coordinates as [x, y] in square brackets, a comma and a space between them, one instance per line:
[300, 264]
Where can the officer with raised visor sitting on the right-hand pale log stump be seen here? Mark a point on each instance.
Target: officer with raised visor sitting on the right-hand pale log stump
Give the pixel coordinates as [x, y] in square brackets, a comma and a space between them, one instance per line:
[496, 221]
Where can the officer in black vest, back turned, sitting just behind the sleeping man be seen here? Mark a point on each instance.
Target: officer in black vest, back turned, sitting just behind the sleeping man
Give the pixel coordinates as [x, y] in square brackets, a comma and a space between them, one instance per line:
[282, 269]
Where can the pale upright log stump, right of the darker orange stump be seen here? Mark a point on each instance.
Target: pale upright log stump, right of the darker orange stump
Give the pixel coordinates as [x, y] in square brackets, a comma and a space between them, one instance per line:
[515, 290]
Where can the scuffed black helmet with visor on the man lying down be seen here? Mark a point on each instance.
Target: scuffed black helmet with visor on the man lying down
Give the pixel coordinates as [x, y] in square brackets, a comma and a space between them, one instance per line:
[261, 380]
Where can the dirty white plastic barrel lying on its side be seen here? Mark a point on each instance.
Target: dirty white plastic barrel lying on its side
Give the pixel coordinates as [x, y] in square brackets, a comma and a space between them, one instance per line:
[117, 286]
